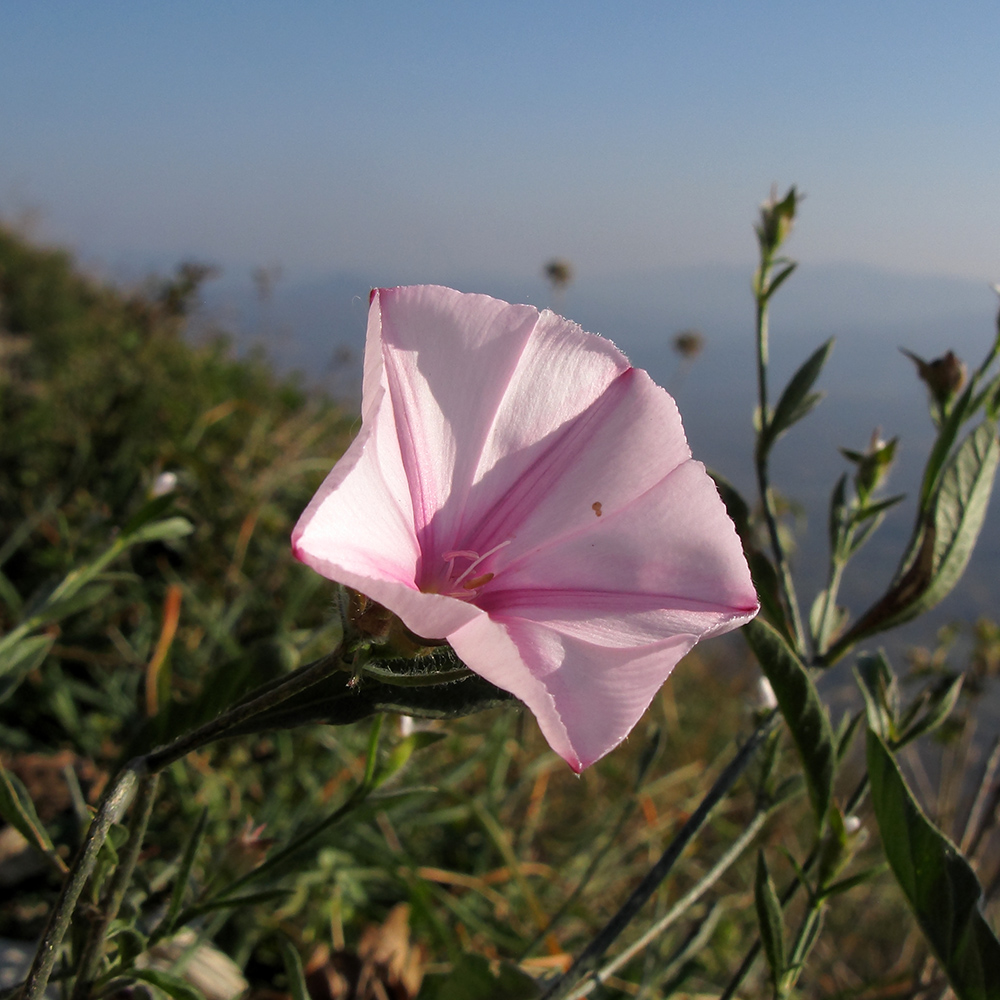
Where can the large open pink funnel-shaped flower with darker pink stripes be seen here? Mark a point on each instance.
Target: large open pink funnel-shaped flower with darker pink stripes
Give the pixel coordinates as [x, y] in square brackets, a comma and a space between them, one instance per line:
[518, 489]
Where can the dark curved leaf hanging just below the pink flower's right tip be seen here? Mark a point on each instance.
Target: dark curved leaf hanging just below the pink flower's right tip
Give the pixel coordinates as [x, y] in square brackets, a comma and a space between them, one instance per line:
[803, 711]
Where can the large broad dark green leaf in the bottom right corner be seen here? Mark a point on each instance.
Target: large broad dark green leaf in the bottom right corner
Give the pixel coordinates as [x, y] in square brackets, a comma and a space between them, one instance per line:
[937, 881]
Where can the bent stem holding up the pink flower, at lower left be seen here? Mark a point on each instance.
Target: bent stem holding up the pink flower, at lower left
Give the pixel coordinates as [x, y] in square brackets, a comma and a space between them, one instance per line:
[120, 793]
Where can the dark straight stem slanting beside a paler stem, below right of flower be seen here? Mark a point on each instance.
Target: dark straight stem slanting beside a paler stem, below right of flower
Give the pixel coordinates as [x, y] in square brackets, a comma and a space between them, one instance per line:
[588, 959]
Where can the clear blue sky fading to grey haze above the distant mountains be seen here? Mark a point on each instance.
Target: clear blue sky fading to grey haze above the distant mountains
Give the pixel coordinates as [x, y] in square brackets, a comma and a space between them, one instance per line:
[435, 138]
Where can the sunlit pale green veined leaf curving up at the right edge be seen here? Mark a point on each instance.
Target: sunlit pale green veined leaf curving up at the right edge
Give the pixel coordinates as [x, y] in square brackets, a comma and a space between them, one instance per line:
[943, 542]
